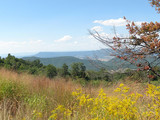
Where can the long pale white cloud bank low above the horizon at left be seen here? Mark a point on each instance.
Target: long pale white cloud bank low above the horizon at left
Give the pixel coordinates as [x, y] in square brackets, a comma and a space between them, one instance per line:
[33, 46]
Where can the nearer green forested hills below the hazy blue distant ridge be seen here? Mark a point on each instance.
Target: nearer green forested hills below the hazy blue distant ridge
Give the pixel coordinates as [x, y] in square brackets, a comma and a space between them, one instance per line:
[113, 64]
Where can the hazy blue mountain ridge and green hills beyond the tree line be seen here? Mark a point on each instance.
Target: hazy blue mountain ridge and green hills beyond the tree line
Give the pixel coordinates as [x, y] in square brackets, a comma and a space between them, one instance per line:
[93, 60]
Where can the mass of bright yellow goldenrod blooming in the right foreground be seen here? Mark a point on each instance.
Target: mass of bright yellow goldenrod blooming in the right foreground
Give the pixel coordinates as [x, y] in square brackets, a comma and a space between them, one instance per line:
[123, 106]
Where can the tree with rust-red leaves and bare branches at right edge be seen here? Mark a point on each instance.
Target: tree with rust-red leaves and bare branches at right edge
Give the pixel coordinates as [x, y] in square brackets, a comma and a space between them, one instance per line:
[141, 48]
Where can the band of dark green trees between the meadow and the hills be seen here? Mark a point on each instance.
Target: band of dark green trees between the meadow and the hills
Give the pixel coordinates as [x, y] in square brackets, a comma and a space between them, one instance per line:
[76, 70]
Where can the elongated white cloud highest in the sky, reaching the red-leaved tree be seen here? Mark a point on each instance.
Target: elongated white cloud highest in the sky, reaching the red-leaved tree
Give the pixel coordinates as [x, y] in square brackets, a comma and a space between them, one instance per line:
[115, 22]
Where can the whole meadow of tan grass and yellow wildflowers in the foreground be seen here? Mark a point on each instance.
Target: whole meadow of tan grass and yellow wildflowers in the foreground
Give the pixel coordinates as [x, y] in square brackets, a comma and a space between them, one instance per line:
[28, 97]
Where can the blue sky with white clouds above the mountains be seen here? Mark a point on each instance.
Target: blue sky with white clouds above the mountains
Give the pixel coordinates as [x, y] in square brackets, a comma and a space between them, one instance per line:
[30, 26]
